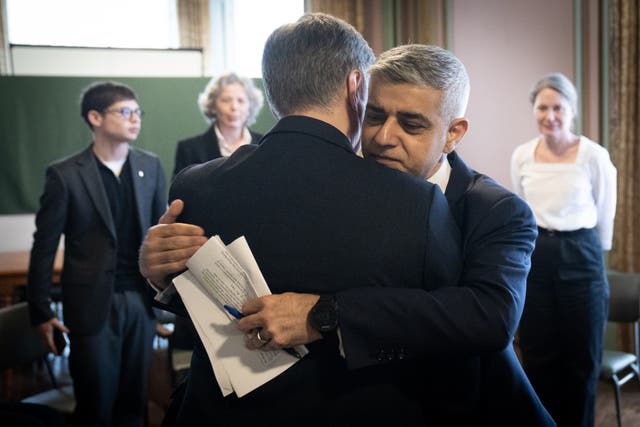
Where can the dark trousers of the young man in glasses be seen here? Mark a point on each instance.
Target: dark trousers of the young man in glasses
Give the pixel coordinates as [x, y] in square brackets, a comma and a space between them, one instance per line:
[110, 370]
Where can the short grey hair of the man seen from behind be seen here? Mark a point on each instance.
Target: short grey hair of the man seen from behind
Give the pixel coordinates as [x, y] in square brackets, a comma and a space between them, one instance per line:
[307, 63]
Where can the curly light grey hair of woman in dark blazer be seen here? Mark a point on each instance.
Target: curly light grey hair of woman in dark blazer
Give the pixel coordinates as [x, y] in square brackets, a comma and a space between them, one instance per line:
[208, 98]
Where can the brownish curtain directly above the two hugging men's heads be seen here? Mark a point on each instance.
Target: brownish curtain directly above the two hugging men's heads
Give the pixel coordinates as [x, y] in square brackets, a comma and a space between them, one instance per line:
[388, 23]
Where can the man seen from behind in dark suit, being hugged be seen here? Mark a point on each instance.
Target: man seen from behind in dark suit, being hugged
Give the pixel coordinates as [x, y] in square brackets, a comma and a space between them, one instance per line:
[328, 225]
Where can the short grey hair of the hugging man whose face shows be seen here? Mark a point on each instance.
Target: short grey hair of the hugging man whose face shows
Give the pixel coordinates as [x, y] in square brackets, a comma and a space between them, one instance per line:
[431, 66]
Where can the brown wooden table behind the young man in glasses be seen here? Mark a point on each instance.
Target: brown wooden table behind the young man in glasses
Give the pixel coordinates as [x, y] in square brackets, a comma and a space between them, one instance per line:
[14, 269]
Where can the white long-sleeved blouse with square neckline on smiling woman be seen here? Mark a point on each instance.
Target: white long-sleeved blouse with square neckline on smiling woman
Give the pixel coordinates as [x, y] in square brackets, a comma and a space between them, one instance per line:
[568, 196]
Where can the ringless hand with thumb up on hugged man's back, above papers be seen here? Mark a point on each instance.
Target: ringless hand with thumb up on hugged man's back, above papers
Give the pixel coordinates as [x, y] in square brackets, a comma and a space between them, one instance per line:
[168, 245]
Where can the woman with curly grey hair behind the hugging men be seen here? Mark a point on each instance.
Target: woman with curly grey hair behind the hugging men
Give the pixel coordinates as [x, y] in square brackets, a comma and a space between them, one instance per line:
[230, 103]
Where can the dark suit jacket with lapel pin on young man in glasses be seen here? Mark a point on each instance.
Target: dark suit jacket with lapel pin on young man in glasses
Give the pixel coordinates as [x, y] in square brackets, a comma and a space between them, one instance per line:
[74, 203]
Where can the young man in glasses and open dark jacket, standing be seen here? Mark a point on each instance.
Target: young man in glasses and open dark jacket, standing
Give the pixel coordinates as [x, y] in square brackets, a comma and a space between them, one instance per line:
[102, 199]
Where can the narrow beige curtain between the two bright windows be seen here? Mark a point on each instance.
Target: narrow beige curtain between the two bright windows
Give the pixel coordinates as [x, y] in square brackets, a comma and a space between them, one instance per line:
[195, 29]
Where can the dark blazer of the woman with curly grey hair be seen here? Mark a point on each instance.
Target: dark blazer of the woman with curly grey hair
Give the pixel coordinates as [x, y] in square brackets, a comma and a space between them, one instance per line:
[201, 148]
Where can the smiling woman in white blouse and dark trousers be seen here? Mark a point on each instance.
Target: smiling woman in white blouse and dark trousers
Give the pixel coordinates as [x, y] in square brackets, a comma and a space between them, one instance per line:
[570, 184]
